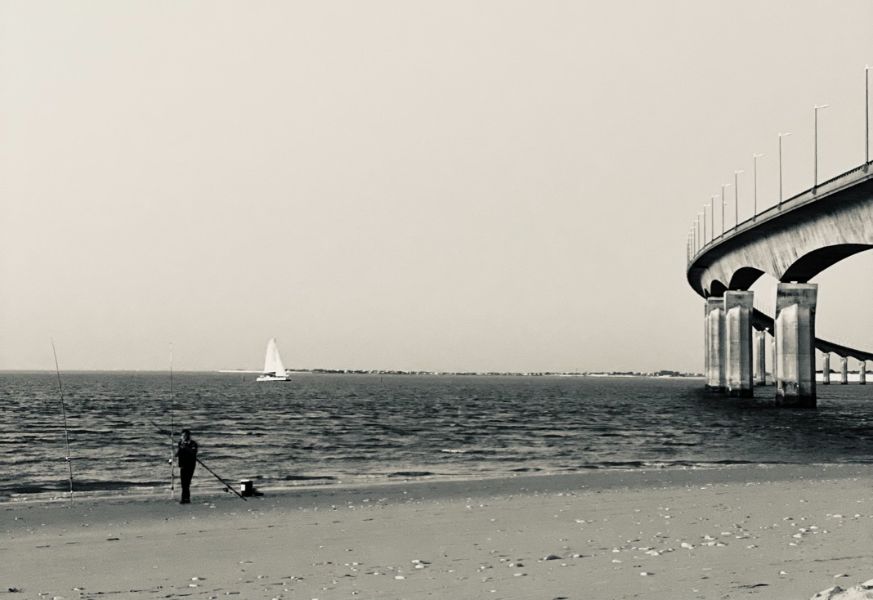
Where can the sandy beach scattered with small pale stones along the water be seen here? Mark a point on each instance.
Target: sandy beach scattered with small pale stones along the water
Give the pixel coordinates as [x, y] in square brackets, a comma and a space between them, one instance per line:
[782, 532]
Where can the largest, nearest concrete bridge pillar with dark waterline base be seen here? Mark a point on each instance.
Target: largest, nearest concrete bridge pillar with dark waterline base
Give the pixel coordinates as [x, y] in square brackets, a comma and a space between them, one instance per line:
[795, 344]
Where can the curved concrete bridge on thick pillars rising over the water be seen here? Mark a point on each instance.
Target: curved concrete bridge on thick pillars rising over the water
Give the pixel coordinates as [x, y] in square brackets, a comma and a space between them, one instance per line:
[793, 242]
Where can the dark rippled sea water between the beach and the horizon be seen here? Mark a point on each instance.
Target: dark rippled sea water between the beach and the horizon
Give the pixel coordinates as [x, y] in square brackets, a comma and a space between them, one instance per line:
[322, 428]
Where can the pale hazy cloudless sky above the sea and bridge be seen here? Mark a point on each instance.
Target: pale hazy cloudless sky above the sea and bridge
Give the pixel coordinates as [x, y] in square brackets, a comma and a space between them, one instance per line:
[444, 185]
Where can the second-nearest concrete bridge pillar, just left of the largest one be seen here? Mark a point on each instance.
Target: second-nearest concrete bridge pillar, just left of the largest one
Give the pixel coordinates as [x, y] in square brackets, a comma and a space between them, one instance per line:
[738, 342]
